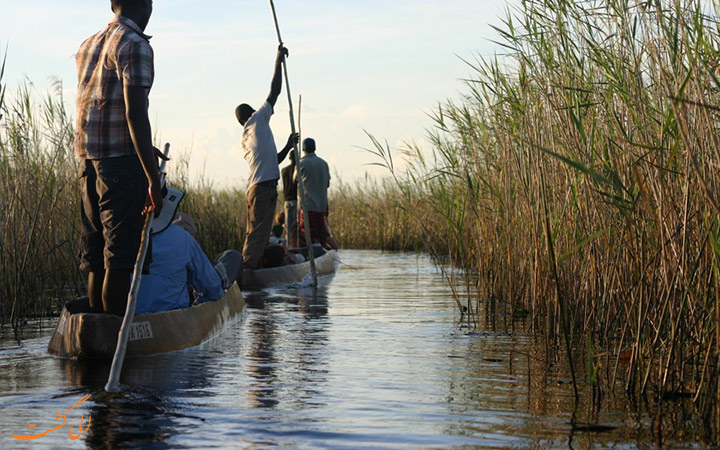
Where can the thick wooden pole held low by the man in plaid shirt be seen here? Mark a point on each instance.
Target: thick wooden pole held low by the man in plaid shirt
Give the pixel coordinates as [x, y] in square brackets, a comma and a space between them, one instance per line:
[123, 335]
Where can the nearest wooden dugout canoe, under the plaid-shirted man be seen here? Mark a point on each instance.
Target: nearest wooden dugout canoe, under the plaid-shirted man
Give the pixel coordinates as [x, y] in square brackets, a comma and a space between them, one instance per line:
[83, 335]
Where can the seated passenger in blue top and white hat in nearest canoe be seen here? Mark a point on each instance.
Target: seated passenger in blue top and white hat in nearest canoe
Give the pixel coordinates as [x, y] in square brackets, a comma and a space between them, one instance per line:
[178, 261]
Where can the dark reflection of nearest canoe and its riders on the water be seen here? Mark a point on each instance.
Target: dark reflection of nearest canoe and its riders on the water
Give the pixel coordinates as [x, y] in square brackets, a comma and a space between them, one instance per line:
[147, 411]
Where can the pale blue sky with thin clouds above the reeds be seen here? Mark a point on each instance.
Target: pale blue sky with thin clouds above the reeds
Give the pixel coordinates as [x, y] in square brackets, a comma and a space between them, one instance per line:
[375, 66]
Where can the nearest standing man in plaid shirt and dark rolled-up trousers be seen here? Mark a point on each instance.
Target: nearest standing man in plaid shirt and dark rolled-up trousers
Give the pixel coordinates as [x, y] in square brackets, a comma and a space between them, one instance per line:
[118, 170]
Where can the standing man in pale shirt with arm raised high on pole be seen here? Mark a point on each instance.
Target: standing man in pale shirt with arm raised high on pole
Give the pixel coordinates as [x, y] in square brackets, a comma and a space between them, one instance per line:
[261, 154]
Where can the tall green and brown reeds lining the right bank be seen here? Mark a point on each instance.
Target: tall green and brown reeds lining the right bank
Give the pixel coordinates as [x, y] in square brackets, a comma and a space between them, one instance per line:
[578, 180]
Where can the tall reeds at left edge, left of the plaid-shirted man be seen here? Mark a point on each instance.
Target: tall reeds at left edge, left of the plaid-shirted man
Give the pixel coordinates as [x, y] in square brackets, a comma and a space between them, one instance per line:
[38, 205]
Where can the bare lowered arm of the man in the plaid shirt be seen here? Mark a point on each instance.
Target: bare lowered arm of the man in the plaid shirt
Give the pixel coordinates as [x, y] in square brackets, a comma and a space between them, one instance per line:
[136, 104]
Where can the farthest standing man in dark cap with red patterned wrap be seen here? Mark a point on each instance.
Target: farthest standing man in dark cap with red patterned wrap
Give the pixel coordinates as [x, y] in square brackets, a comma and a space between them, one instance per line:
[315, 176]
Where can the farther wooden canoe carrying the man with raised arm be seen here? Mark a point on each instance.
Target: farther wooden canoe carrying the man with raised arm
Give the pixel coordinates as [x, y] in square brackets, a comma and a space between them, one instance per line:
[326, 263]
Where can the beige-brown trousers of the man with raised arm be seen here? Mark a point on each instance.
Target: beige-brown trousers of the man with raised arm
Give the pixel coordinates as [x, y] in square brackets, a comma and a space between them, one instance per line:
[261, 200]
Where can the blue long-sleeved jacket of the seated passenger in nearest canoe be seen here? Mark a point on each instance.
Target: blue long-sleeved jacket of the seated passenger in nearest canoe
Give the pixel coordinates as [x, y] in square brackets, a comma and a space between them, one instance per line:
[177, 260]
